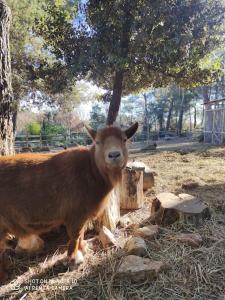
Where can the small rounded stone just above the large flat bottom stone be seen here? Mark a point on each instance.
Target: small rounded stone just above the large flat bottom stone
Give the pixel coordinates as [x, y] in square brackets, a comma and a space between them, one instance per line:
[136, 246]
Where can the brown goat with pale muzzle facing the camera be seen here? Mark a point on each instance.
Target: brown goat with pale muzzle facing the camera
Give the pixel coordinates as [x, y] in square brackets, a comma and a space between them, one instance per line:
[40, 192]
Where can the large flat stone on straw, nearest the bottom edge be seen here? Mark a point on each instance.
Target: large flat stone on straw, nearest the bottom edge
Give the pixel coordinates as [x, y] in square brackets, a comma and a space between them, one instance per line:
[138, 269]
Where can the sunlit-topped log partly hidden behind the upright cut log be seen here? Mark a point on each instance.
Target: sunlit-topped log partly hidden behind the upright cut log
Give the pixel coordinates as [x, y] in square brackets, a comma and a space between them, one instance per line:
[148, 176]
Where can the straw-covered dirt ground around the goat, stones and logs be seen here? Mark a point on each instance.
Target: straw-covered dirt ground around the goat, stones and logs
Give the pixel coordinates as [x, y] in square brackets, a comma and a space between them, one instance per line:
[193, 274]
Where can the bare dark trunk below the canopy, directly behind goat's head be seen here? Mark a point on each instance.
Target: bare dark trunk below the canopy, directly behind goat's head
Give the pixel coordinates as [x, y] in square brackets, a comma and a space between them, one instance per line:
[116, 98]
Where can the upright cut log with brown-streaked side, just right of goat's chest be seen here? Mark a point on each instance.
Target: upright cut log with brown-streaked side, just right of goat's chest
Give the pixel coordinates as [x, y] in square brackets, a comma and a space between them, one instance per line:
[131, 192]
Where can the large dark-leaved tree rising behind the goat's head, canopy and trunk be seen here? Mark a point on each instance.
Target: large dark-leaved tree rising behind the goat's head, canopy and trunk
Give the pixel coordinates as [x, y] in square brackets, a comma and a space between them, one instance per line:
[140, 44]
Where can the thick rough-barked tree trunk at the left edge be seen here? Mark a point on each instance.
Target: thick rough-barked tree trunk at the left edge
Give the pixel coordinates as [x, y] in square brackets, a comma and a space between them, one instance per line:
[6, 97]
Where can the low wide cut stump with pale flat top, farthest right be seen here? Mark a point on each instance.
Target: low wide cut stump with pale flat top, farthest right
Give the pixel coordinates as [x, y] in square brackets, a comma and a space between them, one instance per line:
[168, 208]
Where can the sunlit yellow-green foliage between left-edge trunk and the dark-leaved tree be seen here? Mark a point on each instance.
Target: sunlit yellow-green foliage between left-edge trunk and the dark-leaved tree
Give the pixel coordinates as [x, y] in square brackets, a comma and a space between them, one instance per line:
[35, 67]
